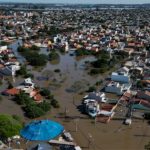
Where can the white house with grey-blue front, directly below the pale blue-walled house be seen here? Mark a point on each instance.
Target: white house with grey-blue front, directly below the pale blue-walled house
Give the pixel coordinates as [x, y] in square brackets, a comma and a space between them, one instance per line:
[117, 88]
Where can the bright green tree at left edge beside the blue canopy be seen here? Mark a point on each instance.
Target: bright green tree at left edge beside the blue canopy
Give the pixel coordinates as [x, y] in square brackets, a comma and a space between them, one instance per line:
[9, 126]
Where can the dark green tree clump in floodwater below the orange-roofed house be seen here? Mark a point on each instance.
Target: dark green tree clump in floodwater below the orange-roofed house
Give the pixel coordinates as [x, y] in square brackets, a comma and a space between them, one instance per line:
[33, 109]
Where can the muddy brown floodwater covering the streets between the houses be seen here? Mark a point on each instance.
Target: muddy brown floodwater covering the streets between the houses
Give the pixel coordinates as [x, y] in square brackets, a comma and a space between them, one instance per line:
[111, 136]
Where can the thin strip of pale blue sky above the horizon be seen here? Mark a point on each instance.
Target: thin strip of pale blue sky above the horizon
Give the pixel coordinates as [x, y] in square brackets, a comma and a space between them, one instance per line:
[82, 1]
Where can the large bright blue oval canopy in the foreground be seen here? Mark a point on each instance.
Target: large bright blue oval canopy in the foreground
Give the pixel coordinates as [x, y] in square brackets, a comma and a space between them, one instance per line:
[42, 130]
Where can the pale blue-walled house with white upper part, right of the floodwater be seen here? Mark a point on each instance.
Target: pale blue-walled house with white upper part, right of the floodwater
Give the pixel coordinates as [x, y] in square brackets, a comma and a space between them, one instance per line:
[122, 75]
